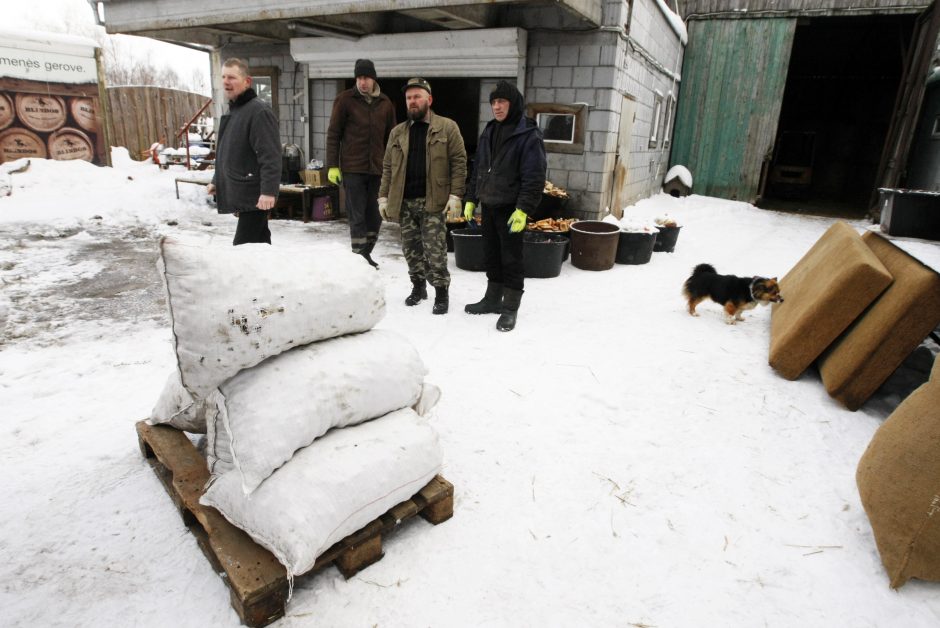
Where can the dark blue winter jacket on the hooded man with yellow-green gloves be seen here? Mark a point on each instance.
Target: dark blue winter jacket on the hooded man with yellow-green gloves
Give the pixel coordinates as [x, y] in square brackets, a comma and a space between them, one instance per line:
[513, 176]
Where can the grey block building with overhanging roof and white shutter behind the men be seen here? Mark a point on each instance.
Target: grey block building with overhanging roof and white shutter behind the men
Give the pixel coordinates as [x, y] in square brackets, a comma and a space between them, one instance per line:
[601, 76]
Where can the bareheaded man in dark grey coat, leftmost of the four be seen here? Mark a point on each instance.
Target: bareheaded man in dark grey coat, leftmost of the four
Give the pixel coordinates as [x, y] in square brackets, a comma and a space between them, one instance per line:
[248, 157]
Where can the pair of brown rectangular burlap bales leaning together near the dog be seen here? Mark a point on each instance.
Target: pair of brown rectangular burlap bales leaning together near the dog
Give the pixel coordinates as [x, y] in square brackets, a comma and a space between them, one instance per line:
[856, 306]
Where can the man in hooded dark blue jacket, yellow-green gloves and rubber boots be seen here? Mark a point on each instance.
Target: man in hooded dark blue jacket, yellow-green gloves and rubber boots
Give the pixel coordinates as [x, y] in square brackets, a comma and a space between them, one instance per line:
[508, 180]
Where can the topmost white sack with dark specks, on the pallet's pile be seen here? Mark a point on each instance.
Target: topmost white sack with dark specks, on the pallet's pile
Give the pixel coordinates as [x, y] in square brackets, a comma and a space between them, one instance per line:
[233, 306]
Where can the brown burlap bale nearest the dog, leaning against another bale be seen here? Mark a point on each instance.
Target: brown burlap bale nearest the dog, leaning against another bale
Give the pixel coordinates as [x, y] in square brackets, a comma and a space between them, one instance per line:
[823, 293]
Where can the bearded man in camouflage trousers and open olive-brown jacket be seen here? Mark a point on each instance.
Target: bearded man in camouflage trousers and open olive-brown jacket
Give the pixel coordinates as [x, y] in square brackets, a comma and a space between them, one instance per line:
[423, 176]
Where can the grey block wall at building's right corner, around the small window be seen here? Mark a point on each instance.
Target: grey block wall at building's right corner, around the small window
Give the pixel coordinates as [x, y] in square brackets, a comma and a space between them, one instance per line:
[598, 68]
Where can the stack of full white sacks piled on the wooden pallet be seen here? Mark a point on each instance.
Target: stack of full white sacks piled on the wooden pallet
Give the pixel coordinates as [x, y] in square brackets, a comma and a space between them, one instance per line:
[275, 353]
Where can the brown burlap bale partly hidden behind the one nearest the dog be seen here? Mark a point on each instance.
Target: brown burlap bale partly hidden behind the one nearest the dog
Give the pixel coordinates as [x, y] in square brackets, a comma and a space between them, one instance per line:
[860, 361]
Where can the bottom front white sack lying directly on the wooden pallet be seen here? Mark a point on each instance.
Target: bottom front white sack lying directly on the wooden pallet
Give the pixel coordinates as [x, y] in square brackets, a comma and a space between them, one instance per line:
[332, 488]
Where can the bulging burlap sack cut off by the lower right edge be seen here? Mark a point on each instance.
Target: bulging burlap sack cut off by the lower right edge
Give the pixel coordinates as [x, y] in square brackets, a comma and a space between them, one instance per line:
[898, 481]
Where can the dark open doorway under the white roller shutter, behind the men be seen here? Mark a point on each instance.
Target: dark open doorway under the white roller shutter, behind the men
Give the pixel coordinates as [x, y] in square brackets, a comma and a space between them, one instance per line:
[457, 99]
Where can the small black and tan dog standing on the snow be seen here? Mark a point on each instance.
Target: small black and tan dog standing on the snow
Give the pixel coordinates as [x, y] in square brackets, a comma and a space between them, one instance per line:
[735, 294]
